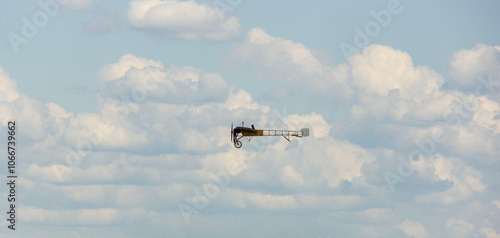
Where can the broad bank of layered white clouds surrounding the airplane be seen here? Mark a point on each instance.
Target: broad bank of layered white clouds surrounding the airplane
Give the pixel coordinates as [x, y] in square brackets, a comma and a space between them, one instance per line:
[160, 134]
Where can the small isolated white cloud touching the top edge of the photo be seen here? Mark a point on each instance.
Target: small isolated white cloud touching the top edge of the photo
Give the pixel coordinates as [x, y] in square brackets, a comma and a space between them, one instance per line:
[186, 20]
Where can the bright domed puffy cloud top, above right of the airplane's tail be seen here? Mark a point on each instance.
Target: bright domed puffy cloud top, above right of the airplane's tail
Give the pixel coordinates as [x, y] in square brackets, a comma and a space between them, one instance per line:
[391, 88]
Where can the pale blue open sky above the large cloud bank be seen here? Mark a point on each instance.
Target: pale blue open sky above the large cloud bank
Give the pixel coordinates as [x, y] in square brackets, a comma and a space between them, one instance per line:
[430, 33]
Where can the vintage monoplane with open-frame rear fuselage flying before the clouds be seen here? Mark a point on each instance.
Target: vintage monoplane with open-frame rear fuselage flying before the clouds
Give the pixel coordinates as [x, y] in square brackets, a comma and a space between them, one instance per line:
[244, 131]
